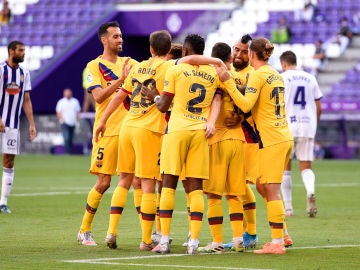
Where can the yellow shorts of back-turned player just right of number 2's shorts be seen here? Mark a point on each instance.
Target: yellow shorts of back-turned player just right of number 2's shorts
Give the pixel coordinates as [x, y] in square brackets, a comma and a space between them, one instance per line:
[227, 172]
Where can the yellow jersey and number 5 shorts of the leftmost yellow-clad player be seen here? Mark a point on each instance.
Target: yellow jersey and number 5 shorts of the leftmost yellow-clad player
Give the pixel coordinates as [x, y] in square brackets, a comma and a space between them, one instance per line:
[102, 73]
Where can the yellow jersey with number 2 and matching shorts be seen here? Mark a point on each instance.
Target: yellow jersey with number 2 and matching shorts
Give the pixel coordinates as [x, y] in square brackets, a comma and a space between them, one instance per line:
[193, 88]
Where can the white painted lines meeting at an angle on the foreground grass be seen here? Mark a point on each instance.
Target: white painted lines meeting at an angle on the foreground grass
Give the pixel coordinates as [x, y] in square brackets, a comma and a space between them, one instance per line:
[111, 260]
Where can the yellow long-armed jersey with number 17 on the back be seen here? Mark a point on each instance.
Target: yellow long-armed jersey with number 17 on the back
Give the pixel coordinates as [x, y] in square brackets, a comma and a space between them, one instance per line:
[264, 96]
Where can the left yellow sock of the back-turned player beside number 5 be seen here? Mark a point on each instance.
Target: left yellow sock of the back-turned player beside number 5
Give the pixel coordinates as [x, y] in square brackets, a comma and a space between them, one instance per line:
[118, 202]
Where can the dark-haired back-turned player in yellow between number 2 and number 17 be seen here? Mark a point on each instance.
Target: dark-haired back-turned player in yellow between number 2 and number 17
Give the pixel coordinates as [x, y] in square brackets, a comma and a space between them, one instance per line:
[227, 172]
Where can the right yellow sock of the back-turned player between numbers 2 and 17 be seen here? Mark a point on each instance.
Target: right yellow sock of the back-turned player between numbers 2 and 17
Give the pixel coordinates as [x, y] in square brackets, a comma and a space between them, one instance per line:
[236, 216]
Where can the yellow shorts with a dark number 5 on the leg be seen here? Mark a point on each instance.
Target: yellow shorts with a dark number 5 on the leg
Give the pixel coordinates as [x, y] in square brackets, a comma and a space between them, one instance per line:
[104, 155]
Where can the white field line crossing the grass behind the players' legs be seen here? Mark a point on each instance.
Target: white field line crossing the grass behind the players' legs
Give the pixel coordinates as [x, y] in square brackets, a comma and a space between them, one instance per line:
[85, 191]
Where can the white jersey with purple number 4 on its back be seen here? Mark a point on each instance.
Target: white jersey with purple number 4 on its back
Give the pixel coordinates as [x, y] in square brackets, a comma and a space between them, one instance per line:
[301, 91]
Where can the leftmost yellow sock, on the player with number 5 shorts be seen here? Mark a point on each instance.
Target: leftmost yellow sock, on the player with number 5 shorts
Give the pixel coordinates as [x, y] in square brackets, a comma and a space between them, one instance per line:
[92, 203]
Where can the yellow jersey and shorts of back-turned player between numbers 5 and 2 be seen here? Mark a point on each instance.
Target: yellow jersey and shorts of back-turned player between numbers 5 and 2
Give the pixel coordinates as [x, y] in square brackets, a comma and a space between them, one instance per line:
[144, 124]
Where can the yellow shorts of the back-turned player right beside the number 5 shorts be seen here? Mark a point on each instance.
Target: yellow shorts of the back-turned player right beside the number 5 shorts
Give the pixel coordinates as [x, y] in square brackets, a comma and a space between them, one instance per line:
[139, 151]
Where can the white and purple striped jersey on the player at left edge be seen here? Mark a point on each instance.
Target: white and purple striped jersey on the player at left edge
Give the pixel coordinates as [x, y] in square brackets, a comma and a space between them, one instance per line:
[13, 83]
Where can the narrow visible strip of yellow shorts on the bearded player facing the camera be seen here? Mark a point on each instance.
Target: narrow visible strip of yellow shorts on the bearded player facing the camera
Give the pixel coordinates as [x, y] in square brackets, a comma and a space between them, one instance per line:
[251, 162]
